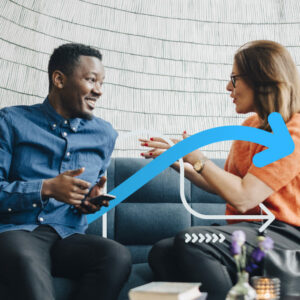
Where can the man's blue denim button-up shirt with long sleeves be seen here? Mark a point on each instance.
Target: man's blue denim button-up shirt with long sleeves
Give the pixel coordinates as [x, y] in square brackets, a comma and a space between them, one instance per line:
[36, 143]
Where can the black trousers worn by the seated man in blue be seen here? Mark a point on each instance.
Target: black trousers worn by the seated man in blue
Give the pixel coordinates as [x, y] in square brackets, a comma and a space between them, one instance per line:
[29, 259]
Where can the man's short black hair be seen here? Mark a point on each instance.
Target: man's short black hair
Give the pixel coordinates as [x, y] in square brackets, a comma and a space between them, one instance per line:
[65, 57]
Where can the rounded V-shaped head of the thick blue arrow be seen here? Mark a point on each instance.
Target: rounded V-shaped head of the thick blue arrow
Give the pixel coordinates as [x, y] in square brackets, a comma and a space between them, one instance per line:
[280, 143]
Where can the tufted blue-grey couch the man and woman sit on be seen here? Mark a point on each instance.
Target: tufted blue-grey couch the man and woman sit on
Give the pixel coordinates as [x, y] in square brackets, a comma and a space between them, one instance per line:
[152, 213]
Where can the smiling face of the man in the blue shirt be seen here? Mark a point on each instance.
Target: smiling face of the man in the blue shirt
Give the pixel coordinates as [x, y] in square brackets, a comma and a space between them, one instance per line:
[82, 88]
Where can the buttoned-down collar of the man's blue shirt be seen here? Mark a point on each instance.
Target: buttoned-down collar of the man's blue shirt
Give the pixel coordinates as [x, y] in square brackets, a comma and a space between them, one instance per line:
[56, 120]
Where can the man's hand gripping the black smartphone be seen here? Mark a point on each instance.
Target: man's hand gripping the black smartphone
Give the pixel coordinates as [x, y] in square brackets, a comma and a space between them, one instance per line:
[87, 207]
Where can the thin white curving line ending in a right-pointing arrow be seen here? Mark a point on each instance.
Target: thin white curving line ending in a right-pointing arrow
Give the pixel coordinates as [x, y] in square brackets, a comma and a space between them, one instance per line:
[268, 216]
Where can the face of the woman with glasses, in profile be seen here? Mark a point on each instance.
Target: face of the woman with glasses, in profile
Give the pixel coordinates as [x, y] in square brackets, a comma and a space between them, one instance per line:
[242, 94]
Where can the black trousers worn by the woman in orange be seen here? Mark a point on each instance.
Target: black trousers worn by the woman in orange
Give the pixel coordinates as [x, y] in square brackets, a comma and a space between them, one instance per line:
[211, 263]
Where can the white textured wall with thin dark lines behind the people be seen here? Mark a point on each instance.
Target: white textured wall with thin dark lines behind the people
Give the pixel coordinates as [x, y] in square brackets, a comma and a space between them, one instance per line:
[167, 61]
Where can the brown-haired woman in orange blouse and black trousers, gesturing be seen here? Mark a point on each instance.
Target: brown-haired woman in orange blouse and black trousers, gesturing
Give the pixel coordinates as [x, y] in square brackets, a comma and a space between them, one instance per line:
[264, 79]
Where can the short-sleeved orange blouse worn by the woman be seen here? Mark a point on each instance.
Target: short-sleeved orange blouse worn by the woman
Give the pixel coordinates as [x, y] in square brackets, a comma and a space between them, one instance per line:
[283, 176]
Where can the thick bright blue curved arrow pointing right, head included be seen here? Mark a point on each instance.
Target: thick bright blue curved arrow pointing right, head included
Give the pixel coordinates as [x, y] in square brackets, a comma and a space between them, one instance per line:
[279, 143]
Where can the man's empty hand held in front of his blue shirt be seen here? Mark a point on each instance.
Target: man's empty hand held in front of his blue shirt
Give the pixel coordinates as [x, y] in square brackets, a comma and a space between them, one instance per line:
[66, 188]
